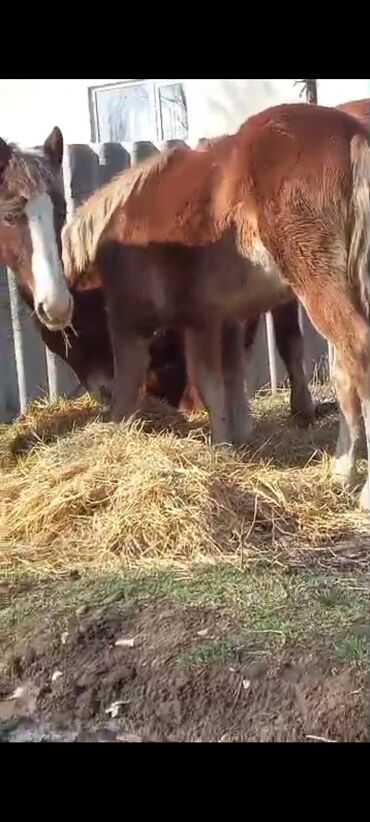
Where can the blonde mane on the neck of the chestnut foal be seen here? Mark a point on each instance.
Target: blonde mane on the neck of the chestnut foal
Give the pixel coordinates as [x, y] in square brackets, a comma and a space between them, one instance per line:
[80, 237]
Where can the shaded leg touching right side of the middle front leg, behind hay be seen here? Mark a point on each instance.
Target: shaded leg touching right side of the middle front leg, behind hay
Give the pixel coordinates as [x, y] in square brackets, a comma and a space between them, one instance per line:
[234, 367]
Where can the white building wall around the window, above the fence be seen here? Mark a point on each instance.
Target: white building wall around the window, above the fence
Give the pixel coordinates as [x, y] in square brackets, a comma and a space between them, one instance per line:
[30, 108]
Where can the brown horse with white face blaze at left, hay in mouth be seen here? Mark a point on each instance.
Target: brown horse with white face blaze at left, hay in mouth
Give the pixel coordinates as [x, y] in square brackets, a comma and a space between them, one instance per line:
[32, 215]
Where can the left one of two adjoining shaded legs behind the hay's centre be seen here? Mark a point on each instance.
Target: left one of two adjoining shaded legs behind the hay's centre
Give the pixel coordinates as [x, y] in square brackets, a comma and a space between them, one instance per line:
[204, 362]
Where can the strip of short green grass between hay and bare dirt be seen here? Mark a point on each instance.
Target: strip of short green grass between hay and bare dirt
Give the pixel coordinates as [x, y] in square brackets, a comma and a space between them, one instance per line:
[272, 609]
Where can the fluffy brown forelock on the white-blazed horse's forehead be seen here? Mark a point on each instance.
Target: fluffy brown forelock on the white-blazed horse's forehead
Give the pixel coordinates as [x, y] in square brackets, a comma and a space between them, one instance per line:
[27, 174]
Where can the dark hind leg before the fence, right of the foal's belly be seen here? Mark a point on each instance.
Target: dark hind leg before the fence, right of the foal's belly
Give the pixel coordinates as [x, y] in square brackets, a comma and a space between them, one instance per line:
[289, 341]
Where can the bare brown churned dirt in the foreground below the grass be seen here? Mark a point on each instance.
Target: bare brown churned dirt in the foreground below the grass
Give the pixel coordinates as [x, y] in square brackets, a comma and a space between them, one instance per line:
[166, 682]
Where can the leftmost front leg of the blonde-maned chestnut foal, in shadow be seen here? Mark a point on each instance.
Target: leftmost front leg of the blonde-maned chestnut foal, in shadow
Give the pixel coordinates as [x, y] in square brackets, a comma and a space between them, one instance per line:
[131, 358]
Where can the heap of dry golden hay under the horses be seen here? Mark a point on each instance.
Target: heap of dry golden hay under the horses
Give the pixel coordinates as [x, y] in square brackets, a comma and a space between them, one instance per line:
[106, 496]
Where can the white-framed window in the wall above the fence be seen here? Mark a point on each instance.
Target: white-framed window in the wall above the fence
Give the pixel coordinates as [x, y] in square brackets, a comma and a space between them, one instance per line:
[142, 110]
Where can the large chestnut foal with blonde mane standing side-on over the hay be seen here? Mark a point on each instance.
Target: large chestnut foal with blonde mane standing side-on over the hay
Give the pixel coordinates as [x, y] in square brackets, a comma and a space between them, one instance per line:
[290, 194]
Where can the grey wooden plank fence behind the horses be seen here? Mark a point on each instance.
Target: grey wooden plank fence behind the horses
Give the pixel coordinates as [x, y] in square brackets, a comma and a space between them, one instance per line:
[28, 370]
